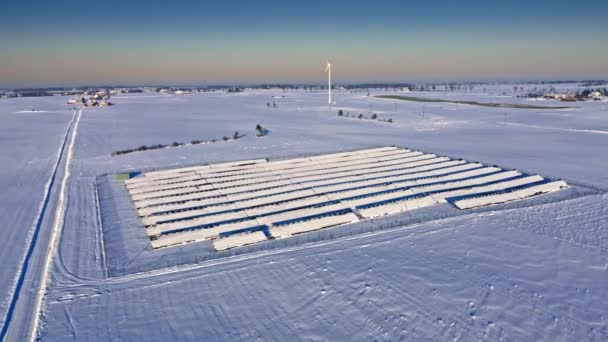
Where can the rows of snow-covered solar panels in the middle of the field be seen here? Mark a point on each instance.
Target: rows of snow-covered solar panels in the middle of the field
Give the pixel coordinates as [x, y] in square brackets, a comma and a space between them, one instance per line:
[245, 202]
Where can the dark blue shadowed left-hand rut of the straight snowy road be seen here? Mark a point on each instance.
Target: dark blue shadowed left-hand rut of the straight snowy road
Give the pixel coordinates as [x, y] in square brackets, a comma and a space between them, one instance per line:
[22, 272]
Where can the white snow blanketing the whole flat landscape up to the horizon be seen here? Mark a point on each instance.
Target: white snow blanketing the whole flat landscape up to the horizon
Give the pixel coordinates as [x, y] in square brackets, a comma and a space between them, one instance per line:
[530, 269]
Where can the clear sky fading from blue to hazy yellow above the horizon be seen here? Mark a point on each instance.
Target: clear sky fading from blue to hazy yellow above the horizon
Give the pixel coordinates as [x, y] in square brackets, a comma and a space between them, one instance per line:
[196, 42]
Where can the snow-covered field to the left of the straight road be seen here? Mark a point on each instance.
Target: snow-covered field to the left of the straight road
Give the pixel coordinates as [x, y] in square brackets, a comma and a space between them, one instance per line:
[29, 152]
